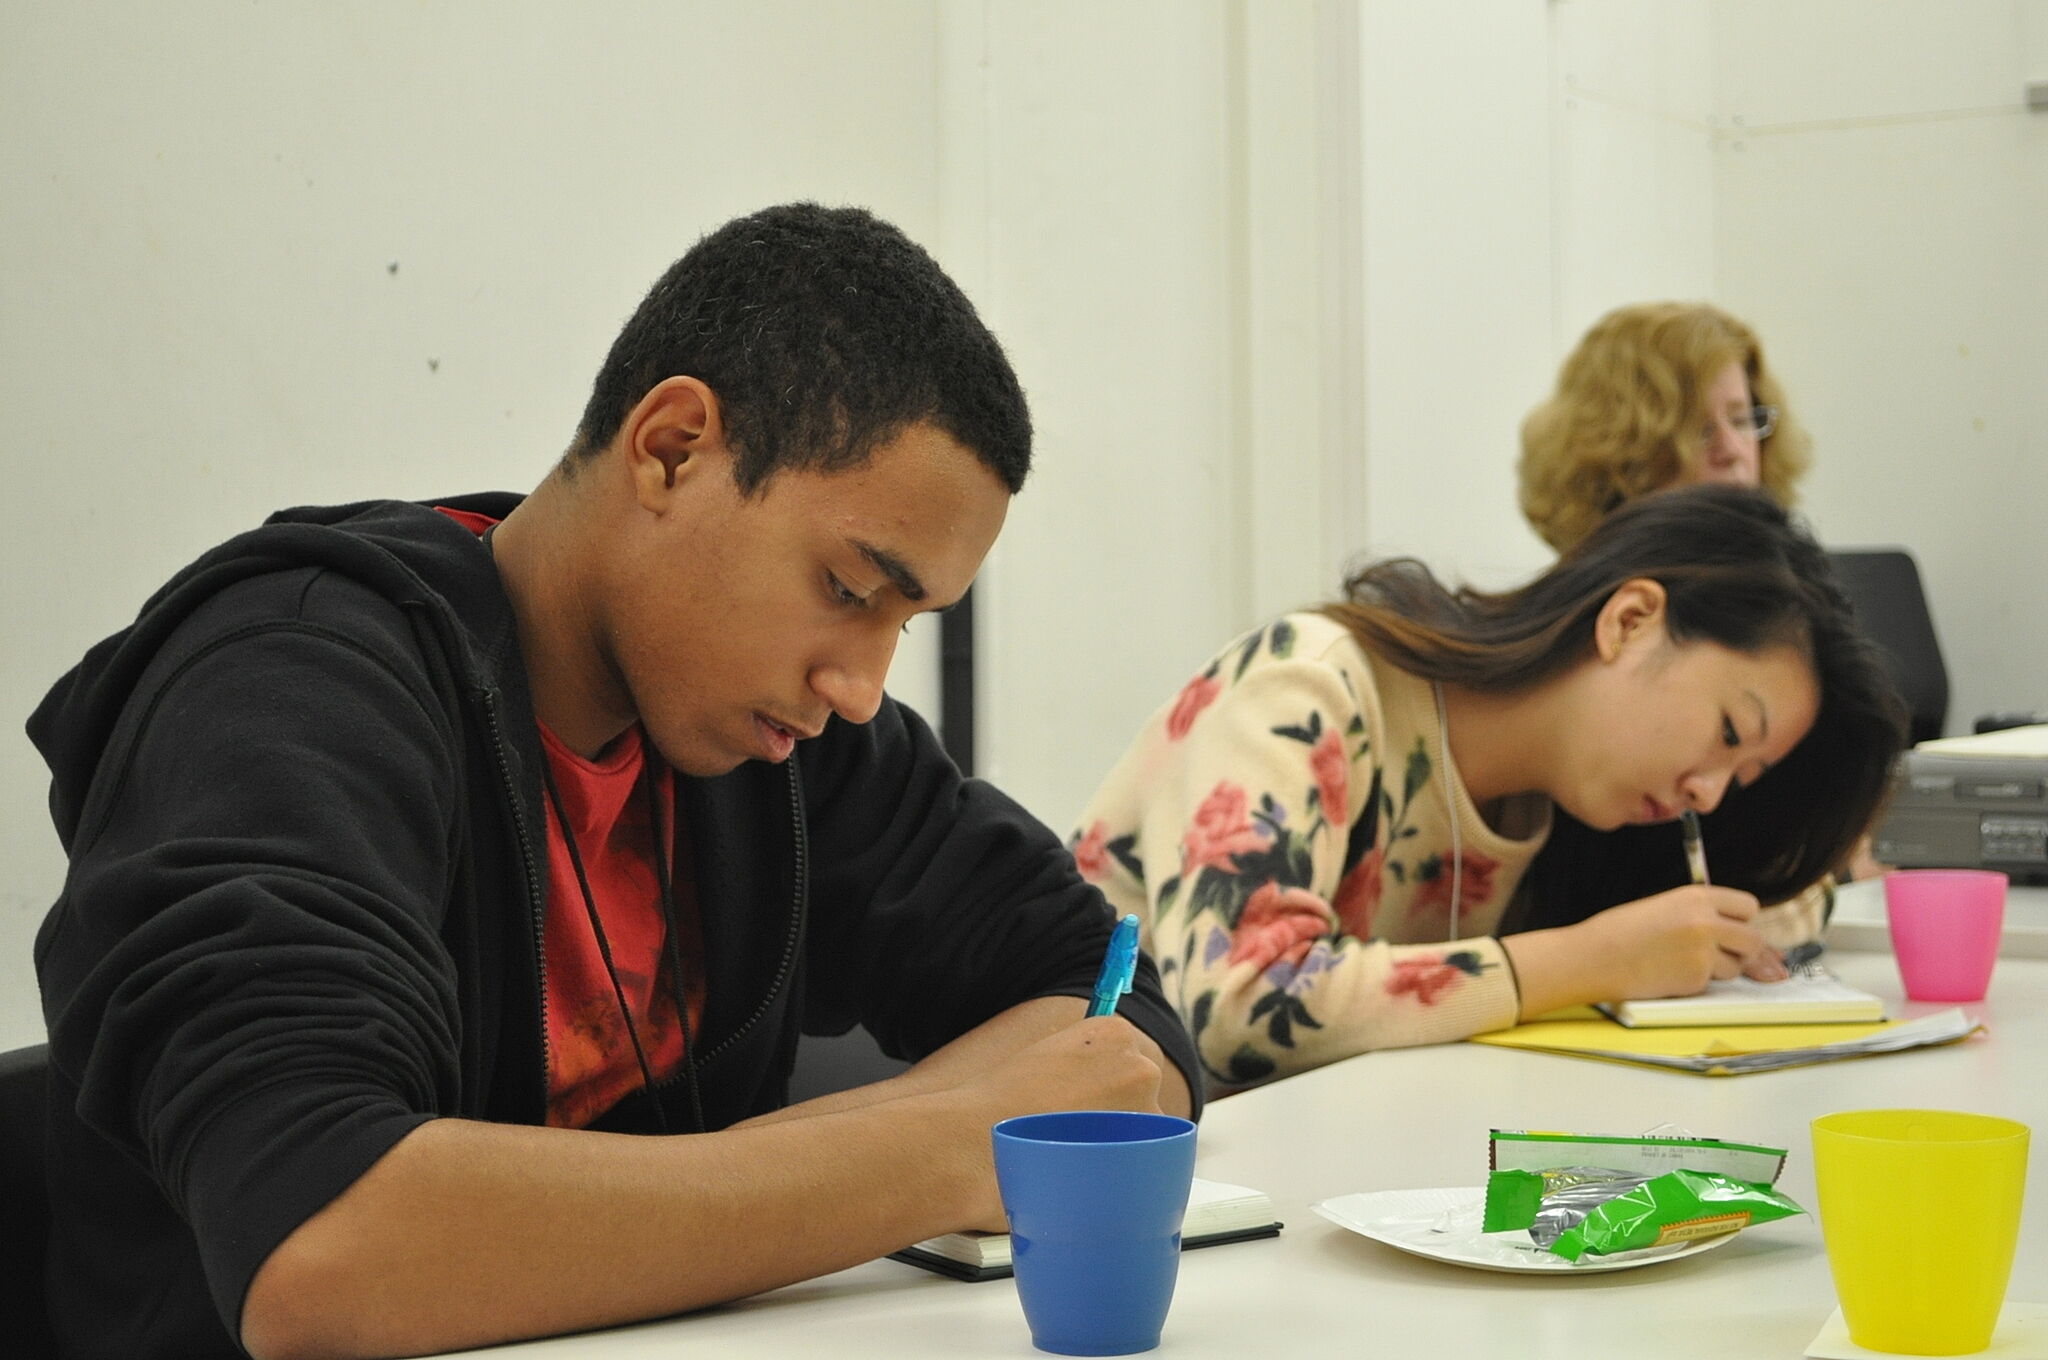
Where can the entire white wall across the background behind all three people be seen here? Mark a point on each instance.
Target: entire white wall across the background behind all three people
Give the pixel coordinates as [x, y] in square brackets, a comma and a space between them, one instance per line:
[1281, 280]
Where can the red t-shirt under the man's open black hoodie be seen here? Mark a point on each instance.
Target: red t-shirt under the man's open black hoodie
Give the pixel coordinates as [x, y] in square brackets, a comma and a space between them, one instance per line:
[591, 1062]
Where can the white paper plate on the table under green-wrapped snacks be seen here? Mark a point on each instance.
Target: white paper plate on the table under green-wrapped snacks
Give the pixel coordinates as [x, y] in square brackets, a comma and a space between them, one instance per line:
[1445, 1226]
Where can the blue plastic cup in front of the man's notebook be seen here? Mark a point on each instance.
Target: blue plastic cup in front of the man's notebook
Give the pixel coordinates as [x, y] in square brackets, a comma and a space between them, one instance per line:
[1095, 1203]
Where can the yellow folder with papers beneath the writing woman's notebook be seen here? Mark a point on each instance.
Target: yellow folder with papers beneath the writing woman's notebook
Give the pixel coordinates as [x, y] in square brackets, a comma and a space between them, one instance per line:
[1725, 1052]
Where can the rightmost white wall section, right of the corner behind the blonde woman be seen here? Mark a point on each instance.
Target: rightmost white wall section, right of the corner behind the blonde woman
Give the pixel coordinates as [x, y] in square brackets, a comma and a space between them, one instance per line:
[1883, 218]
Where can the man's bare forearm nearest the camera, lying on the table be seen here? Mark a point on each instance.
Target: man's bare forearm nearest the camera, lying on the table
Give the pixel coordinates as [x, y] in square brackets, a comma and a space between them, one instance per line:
[470, 1234]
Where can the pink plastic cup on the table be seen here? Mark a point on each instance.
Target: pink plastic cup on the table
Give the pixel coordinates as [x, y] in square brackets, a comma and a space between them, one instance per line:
[1945, 931]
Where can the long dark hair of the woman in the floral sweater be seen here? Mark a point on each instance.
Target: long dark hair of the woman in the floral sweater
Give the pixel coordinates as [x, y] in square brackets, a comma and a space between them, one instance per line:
[1736, 572]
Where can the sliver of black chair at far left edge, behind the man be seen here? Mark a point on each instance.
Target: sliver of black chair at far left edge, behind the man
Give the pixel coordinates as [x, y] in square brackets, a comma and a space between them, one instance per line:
[24, 1201]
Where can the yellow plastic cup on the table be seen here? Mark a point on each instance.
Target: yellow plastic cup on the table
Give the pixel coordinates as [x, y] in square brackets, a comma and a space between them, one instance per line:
[1922, 1214]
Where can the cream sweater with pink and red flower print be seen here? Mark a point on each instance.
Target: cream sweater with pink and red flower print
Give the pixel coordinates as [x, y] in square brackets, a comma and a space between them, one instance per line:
[1283, 833]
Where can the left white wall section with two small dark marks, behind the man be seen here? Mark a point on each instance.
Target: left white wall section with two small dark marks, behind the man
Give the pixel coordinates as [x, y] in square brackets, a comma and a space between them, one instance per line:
[200, 208]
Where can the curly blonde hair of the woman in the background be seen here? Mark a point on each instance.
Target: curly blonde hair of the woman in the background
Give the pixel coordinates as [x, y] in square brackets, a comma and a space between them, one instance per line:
[1627, 417]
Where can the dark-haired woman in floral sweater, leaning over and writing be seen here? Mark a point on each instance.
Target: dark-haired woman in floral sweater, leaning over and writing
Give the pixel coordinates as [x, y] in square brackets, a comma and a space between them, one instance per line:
[1324, 833]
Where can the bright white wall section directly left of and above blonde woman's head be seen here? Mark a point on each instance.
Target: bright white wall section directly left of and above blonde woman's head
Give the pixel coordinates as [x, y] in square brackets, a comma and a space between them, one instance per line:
[1527, 169]
